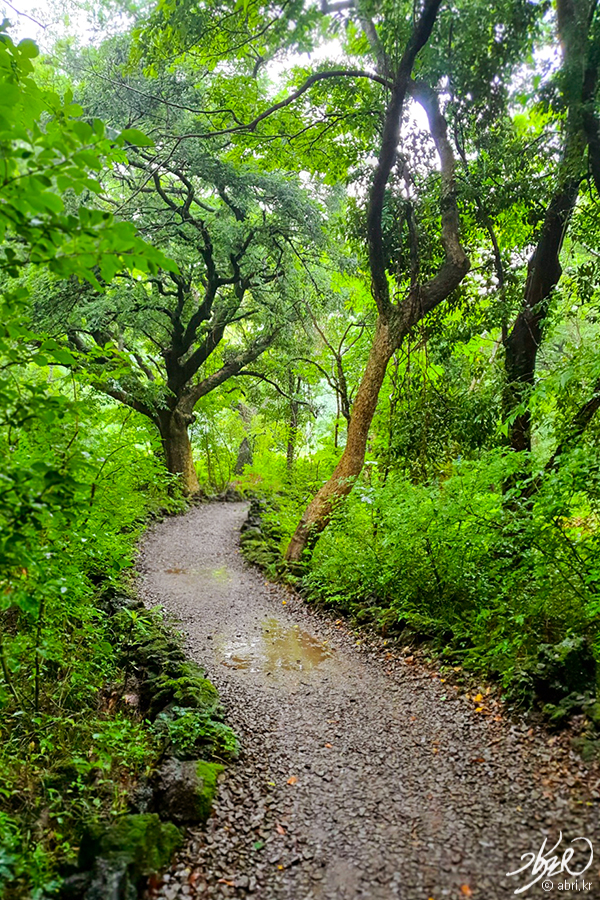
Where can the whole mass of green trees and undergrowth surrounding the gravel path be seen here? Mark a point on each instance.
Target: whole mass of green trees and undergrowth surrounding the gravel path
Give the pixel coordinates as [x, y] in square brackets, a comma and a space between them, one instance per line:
[344, 256]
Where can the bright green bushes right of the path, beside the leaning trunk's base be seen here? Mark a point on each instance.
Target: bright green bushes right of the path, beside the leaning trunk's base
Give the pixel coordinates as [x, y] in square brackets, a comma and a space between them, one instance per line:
[457, 561]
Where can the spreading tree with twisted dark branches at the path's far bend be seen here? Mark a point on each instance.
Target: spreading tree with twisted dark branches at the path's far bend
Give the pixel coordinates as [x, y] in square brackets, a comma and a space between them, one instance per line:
[161, 344]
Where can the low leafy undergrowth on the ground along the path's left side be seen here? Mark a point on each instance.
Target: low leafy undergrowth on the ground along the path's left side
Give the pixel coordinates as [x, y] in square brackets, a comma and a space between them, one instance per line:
[73, 745]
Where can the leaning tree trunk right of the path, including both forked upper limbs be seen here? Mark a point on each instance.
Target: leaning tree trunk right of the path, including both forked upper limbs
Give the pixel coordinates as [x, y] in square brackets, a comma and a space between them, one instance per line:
[395, 319]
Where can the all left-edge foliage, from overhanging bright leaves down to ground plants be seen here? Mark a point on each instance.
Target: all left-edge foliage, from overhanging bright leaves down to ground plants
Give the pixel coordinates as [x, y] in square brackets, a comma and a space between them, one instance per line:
[78, 480]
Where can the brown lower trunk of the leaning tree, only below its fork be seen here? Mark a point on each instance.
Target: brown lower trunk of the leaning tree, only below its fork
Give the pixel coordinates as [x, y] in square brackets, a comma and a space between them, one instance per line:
[349, 467]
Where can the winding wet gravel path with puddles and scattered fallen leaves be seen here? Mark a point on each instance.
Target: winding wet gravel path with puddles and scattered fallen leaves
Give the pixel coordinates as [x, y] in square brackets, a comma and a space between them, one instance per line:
[361, 776]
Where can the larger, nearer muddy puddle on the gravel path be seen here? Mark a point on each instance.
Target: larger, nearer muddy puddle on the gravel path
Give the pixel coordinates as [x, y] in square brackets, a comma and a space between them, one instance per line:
[278, 647]
